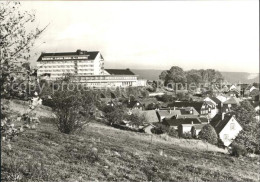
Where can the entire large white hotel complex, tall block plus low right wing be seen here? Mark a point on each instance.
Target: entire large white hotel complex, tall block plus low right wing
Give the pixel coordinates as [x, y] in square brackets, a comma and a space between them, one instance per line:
[86, 68]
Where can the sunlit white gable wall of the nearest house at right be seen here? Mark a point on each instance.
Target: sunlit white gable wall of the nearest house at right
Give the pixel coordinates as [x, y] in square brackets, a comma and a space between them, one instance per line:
[230, 131]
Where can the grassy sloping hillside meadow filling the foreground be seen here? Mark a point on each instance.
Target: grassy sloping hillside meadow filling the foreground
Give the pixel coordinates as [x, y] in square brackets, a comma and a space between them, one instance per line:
[102, 153]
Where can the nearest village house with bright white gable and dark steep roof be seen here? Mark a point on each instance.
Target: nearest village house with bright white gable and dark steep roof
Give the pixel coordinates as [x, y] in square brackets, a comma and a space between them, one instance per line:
[227, 127]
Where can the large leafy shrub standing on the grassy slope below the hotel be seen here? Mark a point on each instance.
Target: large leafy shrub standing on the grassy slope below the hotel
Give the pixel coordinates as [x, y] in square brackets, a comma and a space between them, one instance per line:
[72, 109]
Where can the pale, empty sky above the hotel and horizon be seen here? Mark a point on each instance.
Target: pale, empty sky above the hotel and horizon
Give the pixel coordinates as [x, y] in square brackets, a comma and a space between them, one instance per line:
[222, 35]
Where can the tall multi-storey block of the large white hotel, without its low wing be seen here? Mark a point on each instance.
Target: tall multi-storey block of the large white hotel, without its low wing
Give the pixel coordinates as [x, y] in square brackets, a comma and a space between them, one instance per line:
[79, 63]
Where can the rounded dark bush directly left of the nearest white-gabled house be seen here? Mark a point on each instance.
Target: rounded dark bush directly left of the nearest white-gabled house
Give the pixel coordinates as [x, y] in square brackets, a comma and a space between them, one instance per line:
[208, 133]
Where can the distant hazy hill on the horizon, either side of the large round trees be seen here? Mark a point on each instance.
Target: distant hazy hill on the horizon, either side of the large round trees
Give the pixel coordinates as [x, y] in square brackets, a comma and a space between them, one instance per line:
[232, 77]
